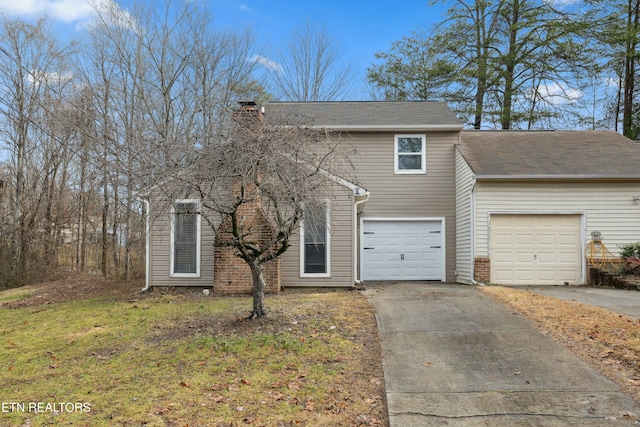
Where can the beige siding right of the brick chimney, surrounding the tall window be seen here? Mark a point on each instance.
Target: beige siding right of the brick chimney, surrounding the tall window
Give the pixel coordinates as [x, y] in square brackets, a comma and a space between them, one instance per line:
[341, 202]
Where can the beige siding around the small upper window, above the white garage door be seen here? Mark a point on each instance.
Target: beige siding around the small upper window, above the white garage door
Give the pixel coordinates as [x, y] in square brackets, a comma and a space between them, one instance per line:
[409, 195]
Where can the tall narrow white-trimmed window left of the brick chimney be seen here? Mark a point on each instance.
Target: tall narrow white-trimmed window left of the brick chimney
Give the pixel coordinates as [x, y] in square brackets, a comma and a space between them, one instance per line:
[185, 238]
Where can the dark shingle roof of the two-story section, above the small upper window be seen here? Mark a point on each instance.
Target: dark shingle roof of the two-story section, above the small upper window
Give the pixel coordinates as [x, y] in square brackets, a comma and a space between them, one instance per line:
[366, 115]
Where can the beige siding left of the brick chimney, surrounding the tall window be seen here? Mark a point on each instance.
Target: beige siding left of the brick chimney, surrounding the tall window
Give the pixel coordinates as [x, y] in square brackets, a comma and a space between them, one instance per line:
[160, 247]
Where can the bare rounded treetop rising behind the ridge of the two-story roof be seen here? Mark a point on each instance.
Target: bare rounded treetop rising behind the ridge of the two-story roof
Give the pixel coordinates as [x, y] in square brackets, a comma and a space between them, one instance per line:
[312, 67]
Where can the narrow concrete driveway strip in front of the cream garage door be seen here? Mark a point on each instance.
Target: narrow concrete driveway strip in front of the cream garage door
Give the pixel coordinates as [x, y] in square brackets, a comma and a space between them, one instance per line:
[621, 301]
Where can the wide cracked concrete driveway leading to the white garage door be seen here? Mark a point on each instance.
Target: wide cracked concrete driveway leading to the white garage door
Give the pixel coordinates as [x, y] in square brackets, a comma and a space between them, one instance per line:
[453, 356]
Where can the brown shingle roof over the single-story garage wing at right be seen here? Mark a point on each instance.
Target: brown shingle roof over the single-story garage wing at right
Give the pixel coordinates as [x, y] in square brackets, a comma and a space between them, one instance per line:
[550, 154]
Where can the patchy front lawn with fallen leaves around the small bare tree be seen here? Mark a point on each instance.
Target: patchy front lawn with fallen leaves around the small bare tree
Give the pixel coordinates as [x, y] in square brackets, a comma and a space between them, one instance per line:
[185, 359]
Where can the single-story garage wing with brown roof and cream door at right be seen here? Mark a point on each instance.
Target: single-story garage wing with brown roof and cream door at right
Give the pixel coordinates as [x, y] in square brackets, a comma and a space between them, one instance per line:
[528, 204]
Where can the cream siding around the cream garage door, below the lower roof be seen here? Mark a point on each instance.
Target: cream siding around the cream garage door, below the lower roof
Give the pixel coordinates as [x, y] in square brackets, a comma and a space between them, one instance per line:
[607, 207]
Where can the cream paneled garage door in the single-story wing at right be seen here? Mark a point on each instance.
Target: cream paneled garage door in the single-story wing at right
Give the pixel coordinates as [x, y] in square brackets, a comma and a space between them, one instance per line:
[536, 249]
